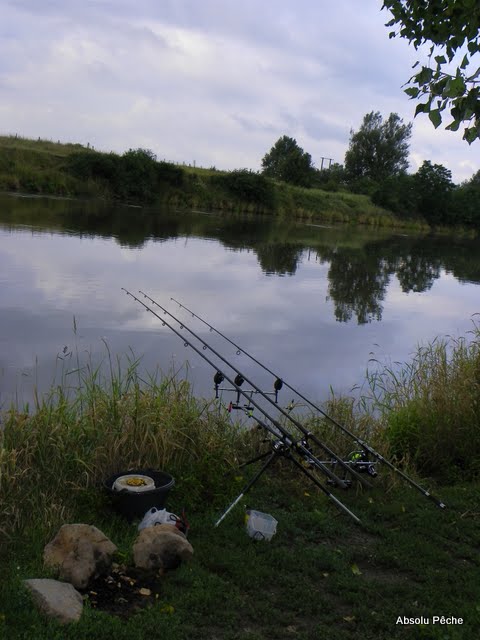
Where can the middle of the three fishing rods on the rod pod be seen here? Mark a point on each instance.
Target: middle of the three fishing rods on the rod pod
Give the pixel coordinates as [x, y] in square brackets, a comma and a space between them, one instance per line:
[309, 435]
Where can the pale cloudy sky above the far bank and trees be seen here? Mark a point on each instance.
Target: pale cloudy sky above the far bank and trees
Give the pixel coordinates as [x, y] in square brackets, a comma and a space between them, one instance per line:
[215, 82]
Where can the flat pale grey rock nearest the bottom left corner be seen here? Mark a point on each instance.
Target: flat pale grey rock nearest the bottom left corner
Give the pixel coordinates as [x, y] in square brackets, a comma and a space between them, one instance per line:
[59, 600]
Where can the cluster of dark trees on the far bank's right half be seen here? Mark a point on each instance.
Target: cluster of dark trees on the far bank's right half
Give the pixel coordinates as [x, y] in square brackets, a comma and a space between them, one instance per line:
[376, 165]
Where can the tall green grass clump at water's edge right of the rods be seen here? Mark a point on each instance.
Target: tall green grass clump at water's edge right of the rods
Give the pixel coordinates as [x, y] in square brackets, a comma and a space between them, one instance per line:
[429, 408]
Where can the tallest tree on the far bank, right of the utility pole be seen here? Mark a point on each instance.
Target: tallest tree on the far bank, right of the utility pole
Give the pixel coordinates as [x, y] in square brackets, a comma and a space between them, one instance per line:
[379, 149]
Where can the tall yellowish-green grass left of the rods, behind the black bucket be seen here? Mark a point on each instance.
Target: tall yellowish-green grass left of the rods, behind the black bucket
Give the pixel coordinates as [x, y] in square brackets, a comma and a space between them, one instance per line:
[94, 424]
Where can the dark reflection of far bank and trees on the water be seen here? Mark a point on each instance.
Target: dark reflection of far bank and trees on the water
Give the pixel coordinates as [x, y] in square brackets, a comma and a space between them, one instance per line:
[359, 271]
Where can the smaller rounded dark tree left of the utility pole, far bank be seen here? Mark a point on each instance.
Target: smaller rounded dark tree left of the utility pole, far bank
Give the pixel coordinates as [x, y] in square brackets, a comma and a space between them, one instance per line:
[288, 162]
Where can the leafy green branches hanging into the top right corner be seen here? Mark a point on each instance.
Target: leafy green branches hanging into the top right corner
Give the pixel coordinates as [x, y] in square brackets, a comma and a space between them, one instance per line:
[451, 27]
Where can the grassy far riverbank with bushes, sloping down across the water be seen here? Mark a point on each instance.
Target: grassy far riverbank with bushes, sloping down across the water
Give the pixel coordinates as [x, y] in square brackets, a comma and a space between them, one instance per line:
[48, 168]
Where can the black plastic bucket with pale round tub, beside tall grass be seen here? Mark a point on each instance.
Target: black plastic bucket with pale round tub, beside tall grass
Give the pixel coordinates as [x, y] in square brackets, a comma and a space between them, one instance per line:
[135, 504]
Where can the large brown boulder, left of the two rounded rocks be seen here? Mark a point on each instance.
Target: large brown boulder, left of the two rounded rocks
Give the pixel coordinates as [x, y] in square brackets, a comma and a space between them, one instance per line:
[79, 552]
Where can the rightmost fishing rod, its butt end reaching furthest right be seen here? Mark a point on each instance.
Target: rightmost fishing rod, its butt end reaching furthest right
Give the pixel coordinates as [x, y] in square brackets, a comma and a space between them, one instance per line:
[359, 441]
